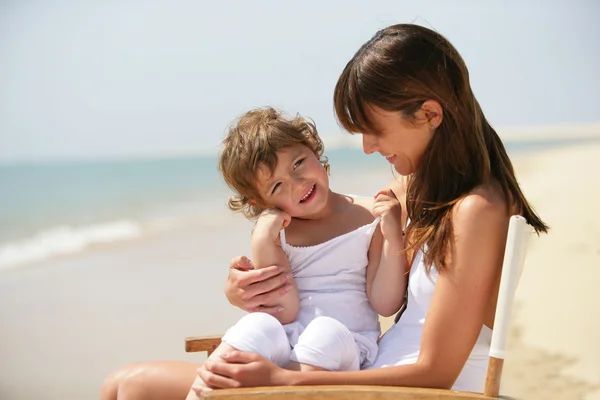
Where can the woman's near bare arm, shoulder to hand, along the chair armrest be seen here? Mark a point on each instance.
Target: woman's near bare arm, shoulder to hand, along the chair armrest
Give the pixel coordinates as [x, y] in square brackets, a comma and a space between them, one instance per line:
[454, 320]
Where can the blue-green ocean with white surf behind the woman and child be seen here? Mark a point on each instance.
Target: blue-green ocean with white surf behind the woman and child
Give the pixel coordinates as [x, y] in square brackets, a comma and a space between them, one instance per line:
[56, 209]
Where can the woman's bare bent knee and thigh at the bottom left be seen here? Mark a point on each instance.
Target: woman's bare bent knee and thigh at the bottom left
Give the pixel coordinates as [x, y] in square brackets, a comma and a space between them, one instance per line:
[168, 380]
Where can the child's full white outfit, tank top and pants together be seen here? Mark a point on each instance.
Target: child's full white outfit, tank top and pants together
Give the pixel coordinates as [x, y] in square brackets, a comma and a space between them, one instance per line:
[336, 327]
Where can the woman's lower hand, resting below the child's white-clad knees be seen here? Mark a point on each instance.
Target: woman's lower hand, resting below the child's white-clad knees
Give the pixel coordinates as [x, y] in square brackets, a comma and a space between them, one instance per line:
[241, 369]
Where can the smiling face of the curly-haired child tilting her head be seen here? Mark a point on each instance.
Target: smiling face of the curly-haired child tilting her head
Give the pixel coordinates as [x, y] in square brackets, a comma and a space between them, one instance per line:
[299, 184]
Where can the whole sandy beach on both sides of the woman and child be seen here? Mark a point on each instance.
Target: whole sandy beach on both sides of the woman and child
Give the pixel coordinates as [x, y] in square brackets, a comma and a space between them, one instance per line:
[66, 323]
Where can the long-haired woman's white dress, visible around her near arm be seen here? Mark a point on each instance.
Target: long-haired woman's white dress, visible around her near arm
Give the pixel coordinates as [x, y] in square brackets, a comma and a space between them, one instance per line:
[401, 344]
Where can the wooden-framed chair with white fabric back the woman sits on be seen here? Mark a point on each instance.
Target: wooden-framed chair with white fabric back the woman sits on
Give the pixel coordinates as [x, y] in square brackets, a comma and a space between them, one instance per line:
[514, 258]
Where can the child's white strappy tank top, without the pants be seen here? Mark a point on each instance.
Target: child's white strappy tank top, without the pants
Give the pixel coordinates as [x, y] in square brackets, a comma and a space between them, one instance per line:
[331, 279]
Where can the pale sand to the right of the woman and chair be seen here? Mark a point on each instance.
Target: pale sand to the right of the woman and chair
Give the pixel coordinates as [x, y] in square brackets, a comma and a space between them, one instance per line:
[556, 330]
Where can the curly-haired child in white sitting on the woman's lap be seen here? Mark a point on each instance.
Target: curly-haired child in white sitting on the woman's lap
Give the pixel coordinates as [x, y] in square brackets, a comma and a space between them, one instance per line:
[343, 252]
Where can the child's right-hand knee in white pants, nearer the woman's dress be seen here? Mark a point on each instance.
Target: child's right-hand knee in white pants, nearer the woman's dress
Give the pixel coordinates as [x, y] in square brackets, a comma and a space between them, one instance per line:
[327, 344]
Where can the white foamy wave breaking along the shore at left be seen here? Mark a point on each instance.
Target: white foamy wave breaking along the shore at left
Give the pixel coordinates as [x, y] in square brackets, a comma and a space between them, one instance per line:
[65, 240]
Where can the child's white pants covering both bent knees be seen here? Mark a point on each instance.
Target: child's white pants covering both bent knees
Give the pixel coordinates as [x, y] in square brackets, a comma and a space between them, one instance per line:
[324, 343]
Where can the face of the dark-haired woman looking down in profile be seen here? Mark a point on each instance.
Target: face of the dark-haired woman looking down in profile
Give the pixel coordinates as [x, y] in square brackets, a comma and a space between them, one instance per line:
[400, 140]
